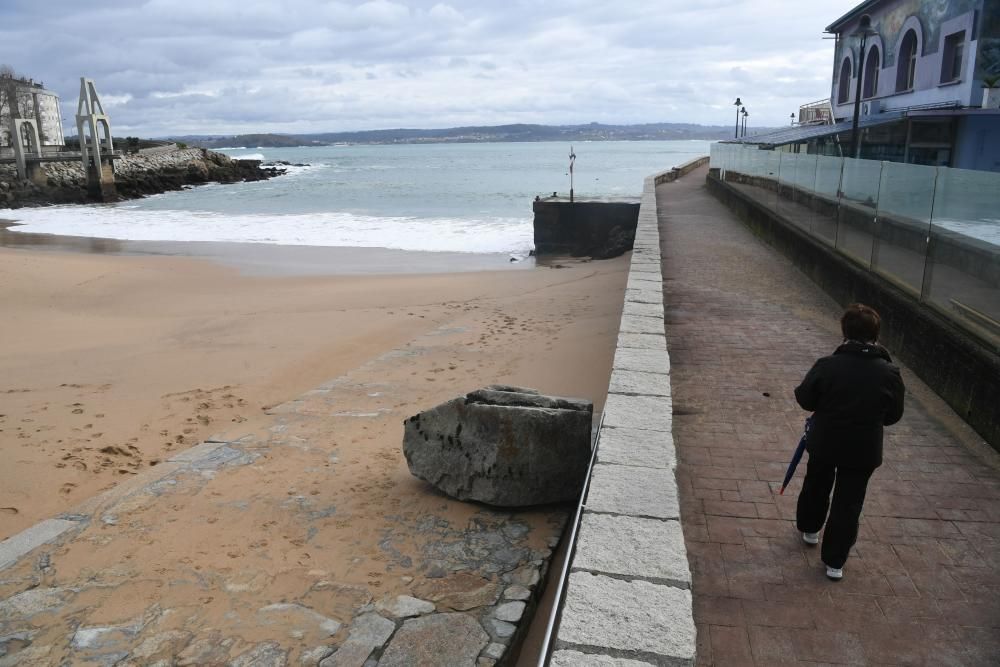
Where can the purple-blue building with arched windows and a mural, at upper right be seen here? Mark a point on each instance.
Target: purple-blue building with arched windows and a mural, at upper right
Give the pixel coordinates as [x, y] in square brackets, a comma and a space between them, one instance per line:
[929, 62]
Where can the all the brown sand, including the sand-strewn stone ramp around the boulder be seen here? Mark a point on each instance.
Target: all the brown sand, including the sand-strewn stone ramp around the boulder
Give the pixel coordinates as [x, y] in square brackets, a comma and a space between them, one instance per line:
[113, 365]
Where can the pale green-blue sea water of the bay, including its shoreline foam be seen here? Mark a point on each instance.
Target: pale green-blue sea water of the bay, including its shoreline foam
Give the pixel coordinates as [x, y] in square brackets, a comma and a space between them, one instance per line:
[427, 197]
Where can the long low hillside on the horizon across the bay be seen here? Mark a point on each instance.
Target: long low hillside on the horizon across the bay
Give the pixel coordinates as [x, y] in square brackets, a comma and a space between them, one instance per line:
[492, 133]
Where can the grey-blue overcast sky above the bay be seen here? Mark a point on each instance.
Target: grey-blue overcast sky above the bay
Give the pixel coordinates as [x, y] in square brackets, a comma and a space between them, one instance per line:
[233, 66]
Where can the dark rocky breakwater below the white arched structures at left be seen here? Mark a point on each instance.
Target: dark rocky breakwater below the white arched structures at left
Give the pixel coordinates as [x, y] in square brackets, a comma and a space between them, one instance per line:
[136, 175]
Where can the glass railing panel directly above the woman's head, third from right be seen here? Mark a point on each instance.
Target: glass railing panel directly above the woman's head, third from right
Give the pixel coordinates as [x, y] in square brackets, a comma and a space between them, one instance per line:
[856, 213]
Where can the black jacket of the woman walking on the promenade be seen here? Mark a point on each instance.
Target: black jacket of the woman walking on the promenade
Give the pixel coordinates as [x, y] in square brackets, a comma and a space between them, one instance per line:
[854, 393]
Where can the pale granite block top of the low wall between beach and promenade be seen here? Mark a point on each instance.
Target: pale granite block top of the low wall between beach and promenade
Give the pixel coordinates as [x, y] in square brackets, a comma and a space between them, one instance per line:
[628, 600]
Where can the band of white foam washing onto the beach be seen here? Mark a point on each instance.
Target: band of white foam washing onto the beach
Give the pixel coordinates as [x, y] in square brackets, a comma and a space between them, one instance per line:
[500, 235]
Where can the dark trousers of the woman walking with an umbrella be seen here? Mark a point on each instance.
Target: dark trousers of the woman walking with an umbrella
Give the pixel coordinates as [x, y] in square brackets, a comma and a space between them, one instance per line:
[849, 486]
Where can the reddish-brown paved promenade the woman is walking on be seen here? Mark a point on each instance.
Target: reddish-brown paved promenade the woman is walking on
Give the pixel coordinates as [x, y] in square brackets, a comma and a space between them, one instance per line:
[922, 586]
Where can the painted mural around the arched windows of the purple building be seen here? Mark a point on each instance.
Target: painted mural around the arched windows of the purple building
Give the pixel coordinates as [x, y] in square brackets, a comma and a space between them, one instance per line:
[888, 21]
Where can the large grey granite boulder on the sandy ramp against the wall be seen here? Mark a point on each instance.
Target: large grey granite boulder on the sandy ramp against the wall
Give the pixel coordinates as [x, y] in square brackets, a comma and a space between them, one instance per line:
[504, 446]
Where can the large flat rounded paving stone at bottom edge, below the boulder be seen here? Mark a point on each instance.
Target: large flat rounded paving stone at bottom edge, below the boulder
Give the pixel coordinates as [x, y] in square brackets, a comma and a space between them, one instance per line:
[438, 639]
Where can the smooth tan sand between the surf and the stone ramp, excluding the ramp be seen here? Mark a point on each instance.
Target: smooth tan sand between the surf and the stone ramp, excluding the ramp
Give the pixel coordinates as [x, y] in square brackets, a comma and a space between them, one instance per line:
[109, 363]
